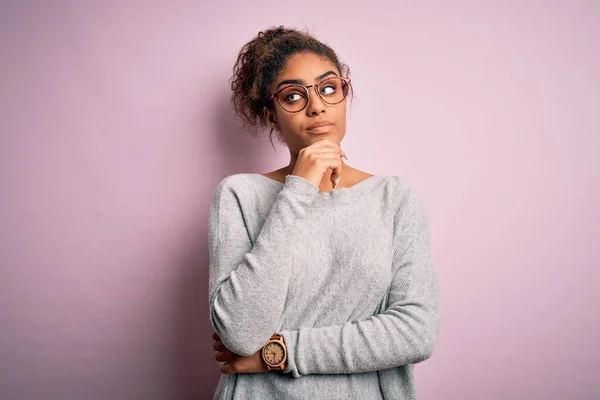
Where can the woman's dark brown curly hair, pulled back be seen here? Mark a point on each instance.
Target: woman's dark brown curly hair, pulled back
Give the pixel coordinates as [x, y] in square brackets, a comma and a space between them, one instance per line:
[258, 64]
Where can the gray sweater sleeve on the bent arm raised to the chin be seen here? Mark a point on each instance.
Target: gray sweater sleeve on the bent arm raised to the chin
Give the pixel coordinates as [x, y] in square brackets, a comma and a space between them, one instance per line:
[248, 282]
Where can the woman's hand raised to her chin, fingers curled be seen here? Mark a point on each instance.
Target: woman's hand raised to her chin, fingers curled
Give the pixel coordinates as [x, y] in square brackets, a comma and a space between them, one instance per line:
[314, 160]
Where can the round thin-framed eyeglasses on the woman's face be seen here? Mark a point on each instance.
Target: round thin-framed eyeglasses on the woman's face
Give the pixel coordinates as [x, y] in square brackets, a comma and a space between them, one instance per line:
[294, 97]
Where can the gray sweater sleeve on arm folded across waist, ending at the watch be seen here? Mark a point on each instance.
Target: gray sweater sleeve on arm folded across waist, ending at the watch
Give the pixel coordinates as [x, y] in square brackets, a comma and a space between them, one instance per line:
[405, 333]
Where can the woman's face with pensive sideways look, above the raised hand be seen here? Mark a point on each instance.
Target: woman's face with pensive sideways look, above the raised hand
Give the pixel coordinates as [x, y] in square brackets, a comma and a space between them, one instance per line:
[295, 127]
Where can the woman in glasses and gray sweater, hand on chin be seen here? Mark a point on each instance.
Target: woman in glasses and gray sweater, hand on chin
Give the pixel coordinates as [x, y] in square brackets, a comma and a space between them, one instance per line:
[321, 285]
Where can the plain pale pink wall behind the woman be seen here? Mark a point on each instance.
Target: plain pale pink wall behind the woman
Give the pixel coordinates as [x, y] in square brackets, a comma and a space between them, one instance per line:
[115, 128]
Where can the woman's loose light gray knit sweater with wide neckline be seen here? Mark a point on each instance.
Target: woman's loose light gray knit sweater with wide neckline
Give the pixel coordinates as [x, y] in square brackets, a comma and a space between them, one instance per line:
[345, 277]
